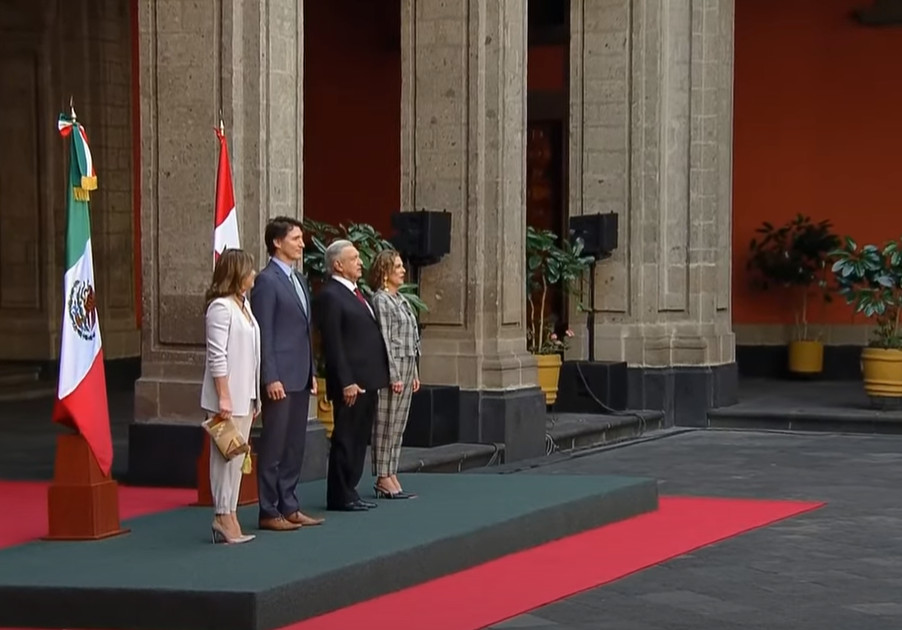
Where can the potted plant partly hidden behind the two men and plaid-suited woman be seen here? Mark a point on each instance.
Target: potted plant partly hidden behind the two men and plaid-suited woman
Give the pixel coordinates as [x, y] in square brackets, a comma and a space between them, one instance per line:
[369, 243]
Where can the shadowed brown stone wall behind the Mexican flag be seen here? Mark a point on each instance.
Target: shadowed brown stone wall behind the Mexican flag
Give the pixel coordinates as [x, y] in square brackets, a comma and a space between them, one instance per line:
[49, 52]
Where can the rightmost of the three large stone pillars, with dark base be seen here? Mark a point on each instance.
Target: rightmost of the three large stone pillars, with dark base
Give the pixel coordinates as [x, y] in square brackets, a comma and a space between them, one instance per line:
[651, 118]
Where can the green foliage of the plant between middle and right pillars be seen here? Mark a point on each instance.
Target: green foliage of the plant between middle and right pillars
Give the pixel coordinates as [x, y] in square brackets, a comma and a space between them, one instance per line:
[549, 264]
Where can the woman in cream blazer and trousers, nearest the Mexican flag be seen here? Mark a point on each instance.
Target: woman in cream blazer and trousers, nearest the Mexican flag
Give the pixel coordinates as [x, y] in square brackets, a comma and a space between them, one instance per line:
[231, 386]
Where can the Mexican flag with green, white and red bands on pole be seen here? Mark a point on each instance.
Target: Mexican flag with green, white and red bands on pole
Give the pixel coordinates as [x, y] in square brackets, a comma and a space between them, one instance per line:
[81, 396]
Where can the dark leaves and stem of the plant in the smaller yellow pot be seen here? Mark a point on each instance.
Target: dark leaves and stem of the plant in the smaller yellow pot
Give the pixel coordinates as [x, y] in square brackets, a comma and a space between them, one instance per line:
[793, 256]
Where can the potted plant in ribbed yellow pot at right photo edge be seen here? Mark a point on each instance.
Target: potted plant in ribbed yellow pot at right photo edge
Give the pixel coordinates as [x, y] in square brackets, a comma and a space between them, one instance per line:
[870, 279]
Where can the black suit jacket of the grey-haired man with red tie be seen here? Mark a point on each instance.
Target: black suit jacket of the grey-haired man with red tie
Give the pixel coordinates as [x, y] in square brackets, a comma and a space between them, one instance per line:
[352, 341]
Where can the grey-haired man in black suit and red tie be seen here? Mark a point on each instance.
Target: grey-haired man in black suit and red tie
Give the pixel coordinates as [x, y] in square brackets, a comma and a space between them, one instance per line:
[356, 369]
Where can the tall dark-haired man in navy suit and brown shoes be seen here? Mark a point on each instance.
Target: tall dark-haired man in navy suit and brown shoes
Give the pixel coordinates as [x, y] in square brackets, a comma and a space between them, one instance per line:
[281, 303]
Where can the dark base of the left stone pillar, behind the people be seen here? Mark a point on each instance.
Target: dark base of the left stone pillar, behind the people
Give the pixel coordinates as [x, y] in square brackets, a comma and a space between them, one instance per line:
[162, 454]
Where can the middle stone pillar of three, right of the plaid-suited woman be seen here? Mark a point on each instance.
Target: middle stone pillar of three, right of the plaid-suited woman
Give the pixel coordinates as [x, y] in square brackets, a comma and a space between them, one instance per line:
[463, 150]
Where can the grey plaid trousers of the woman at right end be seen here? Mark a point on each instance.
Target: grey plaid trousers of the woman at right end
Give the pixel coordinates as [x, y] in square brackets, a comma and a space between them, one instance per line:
[388, 429]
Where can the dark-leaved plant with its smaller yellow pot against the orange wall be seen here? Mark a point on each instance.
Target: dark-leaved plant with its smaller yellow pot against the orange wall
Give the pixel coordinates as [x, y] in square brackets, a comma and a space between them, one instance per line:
[794, 257]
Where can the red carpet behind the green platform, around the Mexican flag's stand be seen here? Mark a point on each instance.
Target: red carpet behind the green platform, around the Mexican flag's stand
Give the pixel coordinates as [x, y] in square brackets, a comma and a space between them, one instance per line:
[30, 499]
